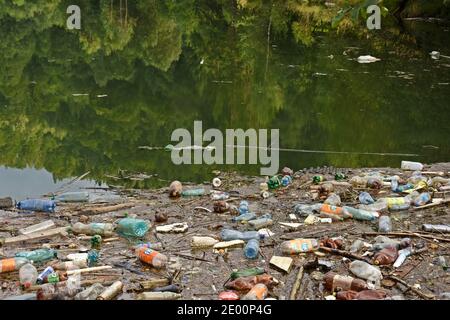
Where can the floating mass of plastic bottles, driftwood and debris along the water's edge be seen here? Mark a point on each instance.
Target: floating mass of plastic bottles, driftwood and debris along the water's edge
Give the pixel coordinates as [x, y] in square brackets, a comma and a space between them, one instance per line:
[362, 234]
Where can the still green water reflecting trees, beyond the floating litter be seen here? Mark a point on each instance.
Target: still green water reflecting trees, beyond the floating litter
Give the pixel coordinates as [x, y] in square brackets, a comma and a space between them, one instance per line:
[65, 111]
